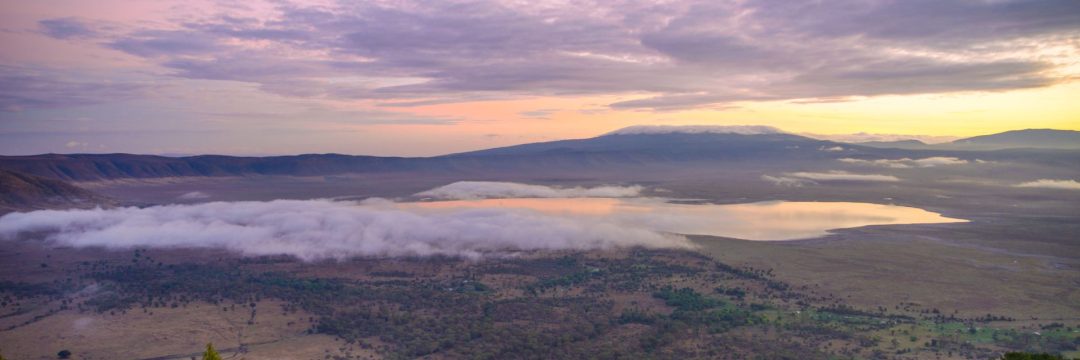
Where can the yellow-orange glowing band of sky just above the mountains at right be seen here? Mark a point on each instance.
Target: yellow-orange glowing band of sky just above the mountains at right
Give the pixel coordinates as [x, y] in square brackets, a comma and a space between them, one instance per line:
[956, 115]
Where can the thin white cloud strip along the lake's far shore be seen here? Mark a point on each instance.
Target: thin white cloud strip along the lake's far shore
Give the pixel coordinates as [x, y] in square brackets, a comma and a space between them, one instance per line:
[465, 191]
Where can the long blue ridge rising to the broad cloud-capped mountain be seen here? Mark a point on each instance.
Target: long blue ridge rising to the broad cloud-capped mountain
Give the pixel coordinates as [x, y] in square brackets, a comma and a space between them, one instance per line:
[611, 151]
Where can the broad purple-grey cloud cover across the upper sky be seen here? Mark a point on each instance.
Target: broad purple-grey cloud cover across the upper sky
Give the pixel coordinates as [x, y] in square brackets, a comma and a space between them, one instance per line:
[679, 55]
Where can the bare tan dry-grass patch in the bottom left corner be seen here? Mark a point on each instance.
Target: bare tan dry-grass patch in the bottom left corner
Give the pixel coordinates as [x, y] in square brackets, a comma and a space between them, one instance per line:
[175, 334]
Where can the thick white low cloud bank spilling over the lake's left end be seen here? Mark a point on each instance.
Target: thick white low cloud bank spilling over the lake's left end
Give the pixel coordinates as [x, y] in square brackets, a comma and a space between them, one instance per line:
[321, 230]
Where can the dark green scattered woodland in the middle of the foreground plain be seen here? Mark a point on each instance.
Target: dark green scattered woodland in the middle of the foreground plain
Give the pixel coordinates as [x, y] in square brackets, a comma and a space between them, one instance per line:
[458, 315]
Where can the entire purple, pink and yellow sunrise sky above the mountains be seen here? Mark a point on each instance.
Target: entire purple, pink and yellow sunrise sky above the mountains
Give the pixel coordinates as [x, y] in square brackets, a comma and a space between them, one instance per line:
[423, 78]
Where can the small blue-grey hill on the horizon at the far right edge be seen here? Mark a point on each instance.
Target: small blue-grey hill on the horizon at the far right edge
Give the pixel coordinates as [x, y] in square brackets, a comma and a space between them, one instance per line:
[1023, 139]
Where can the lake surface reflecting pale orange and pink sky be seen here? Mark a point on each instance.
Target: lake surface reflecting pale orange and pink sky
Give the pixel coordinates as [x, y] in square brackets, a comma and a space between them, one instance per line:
[769, 221]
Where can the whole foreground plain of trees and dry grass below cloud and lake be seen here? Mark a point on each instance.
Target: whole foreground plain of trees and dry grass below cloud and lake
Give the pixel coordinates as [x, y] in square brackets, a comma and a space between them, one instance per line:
[165, 304]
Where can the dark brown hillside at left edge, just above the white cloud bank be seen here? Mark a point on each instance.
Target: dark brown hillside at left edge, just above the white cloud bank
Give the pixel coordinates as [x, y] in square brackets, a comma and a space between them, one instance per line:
[22, 192]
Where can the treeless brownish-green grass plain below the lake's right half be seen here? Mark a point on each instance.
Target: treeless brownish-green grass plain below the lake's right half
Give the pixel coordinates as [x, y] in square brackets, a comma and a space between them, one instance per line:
[871, 273]
